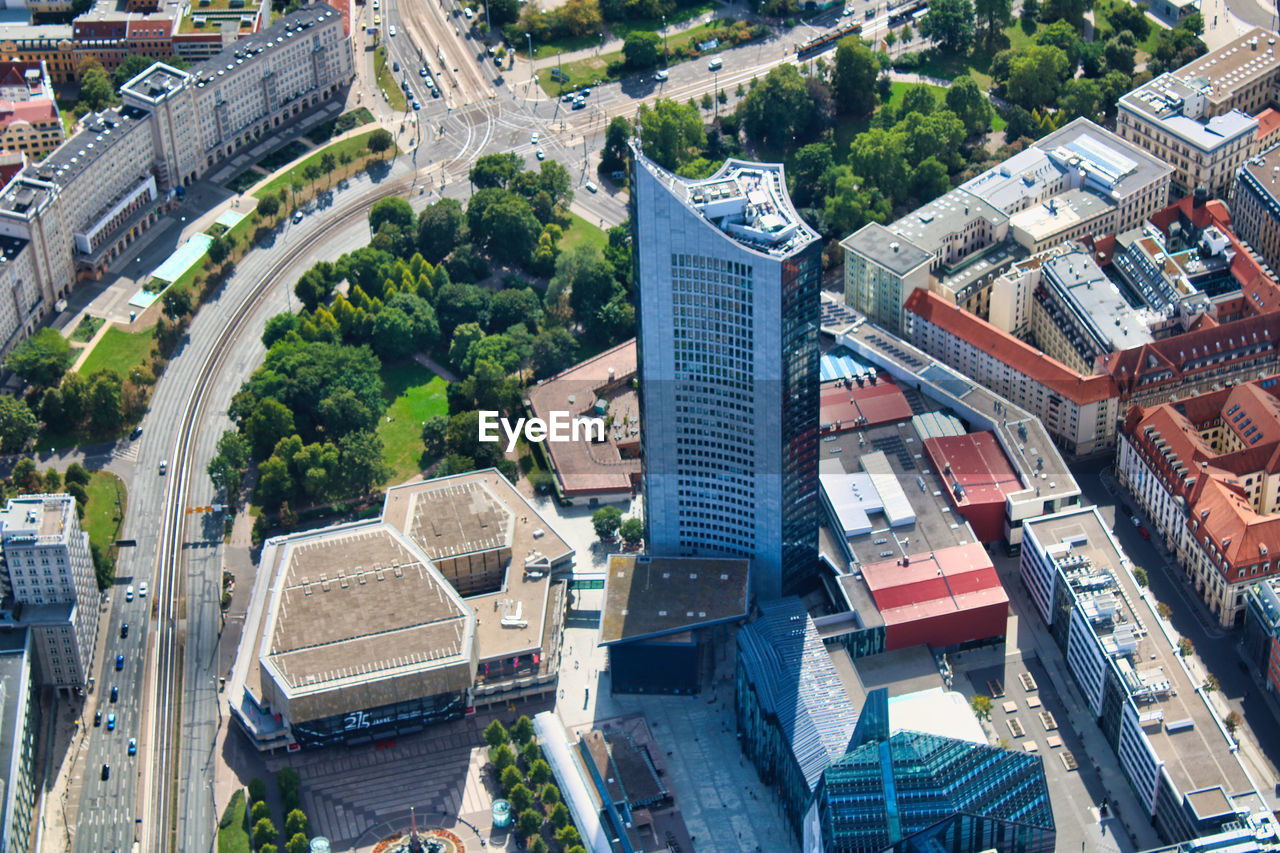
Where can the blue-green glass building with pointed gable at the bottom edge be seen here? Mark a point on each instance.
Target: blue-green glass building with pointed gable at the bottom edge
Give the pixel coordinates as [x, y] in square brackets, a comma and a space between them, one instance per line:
[924, 792]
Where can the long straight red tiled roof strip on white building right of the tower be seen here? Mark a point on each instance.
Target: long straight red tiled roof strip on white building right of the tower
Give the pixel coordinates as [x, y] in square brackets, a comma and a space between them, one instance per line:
[1009, 350]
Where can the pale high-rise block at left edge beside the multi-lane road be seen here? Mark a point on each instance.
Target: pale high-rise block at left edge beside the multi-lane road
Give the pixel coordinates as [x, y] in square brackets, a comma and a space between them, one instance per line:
[49, 574]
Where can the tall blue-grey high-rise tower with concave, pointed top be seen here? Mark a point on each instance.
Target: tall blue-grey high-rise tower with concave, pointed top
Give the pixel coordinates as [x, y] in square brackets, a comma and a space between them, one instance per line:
[728, 281]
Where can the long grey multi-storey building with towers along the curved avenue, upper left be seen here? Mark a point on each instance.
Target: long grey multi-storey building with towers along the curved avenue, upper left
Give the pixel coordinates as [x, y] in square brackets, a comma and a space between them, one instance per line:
[92, 198]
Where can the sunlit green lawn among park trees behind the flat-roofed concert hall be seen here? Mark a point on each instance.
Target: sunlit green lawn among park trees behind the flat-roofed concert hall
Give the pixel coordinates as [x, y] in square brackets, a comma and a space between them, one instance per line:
[414, 394]
